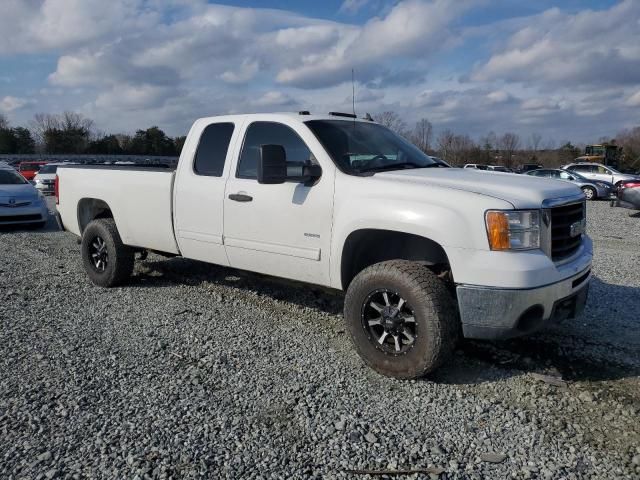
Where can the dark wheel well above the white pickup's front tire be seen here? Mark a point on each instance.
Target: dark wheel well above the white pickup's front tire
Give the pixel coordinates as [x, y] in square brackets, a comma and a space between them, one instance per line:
[369, 246]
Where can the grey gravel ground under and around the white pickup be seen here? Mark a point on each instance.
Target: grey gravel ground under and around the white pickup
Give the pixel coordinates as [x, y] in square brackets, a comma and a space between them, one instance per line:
[198, 371]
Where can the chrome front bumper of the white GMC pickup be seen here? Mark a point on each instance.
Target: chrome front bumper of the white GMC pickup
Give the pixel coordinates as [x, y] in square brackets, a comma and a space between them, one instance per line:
[498, 313]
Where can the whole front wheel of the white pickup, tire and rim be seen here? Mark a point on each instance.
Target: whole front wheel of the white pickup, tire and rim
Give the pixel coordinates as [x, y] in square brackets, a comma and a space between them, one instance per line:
[401, 318]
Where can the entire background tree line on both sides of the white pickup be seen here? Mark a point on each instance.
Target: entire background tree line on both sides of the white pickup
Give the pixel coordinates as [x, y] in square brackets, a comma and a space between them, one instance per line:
[72, 133]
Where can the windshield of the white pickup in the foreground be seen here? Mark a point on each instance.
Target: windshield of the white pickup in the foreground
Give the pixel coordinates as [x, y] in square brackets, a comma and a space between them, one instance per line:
[359, 147]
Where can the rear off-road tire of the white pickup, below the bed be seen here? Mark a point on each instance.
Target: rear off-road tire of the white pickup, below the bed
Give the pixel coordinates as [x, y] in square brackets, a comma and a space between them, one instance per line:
[120, 256]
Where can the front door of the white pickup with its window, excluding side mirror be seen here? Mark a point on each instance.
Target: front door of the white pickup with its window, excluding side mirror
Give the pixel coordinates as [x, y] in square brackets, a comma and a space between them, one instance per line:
[283, 229]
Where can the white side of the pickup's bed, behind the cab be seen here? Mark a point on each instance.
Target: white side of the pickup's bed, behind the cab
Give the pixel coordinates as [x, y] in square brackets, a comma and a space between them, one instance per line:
[138, 196]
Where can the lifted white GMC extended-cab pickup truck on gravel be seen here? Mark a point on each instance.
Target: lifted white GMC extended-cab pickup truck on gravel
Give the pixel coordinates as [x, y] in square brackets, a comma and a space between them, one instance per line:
[424, 253]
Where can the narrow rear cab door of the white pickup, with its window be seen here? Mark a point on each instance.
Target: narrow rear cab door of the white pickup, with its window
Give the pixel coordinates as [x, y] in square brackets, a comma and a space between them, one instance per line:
[199, 190]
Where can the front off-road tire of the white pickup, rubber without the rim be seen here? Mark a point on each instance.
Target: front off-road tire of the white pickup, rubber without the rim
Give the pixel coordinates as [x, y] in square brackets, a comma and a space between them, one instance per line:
[437, 323]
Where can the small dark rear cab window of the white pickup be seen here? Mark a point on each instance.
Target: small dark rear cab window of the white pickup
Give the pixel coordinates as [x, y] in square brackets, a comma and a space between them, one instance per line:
[212, 149]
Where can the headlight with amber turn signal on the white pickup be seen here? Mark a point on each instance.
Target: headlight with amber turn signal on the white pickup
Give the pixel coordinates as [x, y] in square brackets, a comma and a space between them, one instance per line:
[513, 229]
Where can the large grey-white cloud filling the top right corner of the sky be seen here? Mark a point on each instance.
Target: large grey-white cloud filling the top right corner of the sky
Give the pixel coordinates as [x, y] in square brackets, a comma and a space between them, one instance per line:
[571, 50]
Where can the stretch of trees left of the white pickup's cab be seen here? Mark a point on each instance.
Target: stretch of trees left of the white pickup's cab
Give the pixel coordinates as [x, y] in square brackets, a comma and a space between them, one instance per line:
[72, 133]
